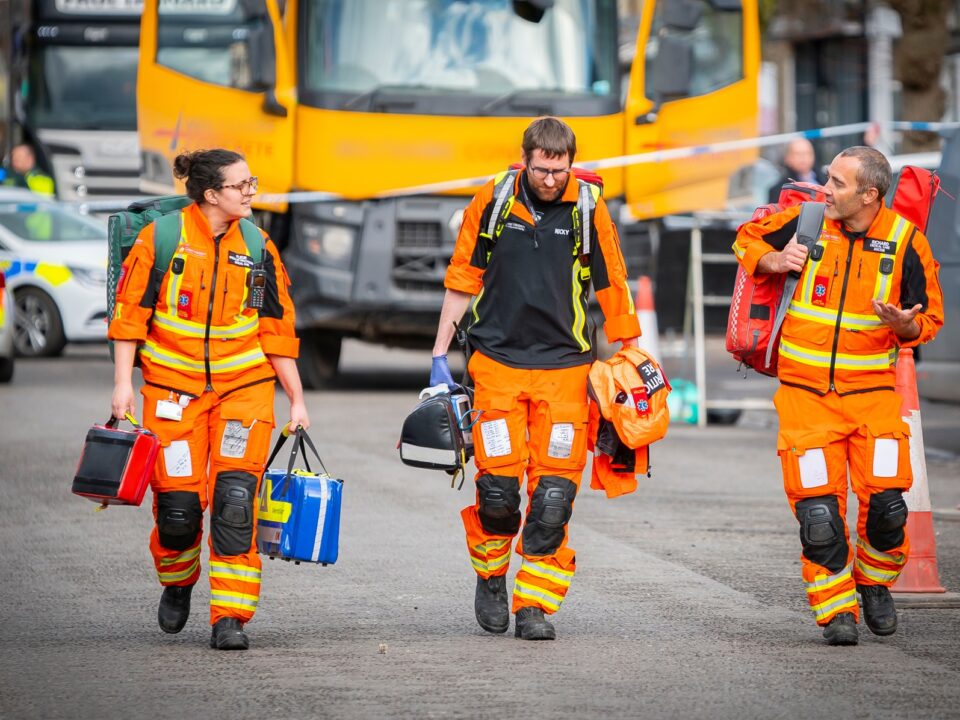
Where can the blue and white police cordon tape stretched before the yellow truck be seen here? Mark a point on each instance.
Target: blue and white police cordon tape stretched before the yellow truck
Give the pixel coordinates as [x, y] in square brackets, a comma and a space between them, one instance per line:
[618, 161]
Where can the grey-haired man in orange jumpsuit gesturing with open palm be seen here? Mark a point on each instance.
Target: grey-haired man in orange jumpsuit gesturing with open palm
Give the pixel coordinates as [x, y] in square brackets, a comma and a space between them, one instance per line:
[868, 287]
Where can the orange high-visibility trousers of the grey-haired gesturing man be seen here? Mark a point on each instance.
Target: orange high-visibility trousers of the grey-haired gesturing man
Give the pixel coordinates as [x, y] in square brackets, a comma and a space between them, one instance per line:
[820, 438]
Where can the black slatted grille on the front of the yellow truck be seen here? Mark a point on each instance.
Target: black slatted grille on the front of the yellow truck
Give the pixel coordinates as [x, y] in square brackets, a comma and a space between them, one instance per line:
[419, 257]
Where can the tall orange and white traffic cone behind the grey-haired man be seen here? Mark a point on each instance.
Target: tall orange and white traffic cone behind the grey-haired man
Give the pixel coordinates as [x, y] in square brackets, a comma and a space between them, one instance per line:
[920, 574]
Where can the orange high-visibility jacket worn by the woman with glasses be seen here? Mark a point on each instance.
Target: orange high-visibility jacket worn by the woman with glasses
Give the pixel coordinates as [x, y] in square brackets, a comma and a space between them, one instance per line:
[201, 335]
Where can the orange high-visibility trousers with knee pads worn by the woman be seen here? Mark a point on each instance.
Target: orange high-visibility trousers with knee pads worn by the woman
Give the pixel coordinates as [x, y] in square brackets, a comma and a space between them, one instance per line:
[232, 435]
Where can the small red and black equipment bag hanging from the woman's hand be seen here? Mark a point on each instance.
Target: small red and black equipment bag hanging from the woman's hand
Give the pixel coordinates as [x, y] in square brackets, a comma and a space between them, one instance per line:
[116, 465]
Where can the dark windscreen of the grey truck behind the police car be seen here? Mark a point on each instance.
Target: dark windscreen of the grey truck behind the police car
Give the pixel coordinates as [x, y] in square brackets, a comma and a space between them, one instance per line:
[76, 87]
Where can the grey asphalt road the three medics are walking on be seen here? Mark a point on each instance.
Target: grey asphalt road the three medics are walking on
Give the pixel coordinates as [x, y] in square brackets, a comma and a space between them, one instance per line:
[687, 601]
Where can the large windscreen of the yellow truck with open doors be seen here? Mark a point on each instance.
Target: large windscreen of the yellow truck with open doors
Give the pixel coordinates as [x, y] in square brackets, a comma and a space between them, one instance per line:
[459, 57]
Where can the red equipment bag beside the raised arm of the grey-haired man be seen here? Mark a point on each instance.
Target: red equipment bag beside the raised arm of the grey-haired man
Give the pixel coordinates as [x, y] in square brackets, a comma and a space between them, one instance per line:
[753, 326]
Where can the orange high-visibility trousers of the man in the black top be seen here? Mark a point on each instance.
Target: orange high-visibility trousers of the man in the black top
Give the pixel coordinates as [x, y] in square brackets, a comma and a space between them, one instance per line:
[533, 422]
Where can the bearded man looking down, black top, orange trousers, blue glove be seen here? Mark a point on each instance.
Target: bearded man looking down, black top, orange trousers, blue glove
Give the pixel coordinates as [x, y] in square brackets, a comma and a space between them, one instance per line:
[520, 253]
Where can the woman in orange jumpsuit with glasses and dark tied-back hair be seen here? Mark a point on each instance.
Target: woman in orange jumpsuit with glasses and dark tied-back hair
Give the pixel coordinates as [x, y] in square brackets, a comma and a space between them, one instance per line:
[214, 333]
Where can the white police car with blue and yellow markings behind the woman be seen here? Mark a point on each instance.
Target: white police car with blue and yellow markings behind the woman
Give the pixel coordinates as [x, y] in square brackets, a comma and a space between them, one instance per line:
[55, 262]
